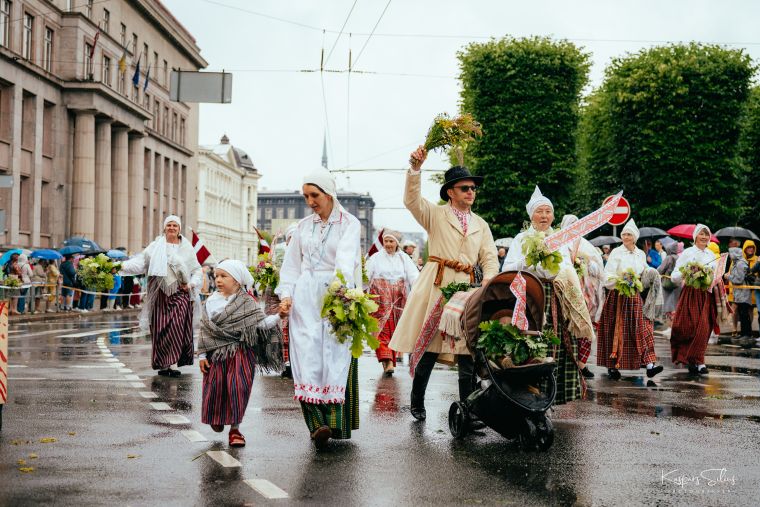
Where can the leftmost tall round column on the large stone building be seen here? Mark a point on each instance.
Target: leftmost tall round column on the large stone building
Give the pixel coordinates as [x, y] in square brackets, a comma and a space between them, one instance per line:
[83, 184]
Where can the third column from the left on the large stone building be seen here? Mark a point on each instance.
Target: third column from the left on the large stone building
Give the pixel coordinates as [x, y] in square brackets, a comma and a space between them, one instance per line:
[120, 188]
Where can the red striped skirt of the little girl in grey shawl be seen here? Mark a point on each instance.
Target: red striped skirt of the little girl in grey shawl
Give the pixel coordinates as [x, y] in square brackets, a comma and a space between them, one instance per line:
[227, 388]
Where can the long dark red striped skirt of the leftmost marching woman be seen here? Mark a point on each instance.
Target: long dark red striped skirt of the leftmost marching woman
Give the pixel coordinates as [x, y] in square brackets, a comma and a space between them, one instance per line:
[171, 328]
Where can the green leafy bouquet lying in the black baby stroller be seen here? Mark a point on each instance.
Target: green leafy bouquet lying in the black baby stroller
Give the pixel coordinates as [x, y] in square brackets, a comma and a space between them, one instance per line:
[506, 346]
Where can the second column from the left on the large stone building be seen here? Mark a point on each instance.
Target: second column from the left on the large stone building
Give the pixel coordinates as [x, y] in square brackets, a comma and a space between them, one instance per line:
[103, 183]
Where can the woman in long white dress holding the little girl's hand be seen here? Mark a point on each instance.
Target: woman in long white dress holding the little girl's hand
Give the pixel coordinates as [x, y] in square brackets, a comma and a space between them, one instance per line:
[325, 375]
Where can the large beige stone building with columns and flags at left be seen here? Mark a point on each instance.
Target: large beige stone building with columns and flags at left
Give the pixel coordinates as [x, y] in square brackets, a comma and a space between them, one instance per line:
[89, 152]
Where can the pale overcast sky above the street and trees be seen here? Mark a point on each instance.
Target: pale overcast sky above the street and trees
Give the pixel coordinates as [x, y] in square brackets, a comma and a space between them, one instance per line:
[280, 114]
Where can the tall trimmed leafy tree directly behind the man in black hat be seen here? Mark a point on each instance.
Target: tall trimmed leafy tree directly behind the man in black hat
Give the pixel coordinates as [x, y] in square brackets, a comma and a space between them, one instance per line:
[525, 93]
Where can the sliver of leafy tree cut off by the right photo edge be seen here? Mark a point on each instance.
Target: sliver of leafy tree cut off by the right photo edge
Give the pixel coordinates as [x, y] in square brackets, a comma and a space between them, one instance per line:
[749, 148]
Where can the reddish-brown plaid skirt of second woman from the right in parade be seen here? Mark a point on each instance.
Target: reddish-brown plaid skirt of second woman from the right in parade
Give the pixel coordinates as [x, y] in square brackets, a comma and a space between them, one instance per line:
[626, 338]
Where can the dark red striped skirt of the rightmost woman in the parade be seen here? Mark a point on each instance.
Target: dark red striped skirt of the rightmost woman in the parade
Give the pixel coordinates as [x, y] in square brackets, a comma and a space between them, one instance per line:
[692, 324]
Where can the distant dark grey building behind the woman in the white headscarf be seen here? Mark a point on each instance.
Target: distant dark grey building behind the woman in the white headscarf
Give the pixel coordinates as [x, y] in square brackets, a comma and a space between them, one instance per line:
[277, 209]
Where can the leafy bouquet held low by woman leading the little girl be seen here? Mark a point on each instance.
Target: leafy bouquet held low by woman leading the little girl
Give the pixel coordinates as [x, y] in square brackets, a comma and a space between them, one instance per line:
[349, 312]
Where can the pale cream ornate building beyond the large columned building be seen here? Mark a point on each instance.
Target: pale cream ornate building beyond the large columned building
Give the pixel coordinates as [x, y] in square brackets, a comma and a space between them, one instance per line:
[227, 194]
